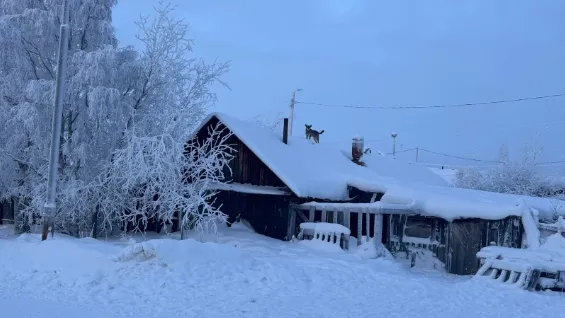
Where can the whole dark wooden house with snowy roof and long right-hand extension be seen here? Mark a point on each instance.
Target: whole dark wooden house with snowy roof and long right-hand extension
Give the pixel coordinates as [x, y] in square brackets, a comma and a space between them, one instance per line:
[278, 182]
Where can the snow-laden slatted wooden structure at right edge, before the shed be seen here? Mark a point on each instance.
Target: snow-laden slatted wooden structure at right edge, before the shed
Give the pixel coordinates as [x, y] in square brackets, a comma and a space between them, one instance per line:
[524, 268]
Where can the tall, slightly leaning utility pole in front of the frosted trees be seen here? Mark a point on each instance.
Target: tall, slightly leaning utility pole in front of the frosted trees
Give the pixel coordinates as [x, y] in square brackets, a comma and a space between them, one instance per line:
[50, 206]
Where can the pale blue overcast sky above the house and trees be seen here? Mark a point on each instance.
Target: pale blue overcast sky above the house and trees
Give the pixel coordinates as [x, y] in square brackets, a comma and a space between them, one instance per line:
[389, 53]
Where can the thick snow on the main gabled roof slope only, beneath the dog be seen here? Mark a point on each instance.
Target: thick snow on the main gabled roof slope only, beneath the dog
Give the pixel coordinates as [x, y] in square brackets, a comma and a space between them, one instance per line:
[316, 171]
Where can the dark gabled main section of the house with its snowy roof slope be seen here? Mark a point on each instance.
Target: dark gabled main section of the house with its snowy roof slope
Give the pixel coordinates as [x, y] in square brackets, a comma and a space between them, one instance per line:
[267, 176]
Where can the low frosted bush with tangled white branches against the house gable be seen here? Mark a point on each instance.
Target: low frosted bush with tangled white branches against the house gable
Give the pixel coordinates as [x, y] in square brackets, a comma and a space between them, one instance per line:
[161, 178]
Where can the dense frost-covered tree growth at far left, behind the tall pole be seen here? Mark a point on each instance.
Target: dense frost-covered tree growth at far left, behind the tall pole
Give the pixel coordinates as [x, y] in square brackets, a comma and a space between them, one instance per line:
[30, 32]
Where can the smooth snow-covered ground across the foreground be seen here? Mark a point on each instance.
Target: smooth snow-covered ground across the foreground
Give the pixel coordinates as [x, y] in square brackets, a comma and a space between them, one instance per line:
[241, 274]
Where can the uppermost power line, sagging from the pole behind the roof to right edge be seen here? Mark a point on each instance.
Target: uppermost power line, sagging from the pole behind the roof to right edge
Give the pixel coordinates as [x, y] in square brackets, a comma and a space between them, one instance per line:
[435, 106]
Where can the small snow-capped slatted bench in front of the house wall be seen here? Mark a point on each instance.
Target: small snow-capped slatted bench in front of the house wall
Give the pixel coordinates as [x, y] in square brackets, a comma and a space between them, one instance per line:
[327, 232]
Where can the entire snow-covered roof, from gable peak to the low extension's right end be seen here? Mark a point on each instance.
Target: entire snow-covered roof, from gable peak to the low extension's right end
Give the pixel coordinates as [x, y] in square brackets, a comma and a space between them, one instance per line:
[325, 172]
